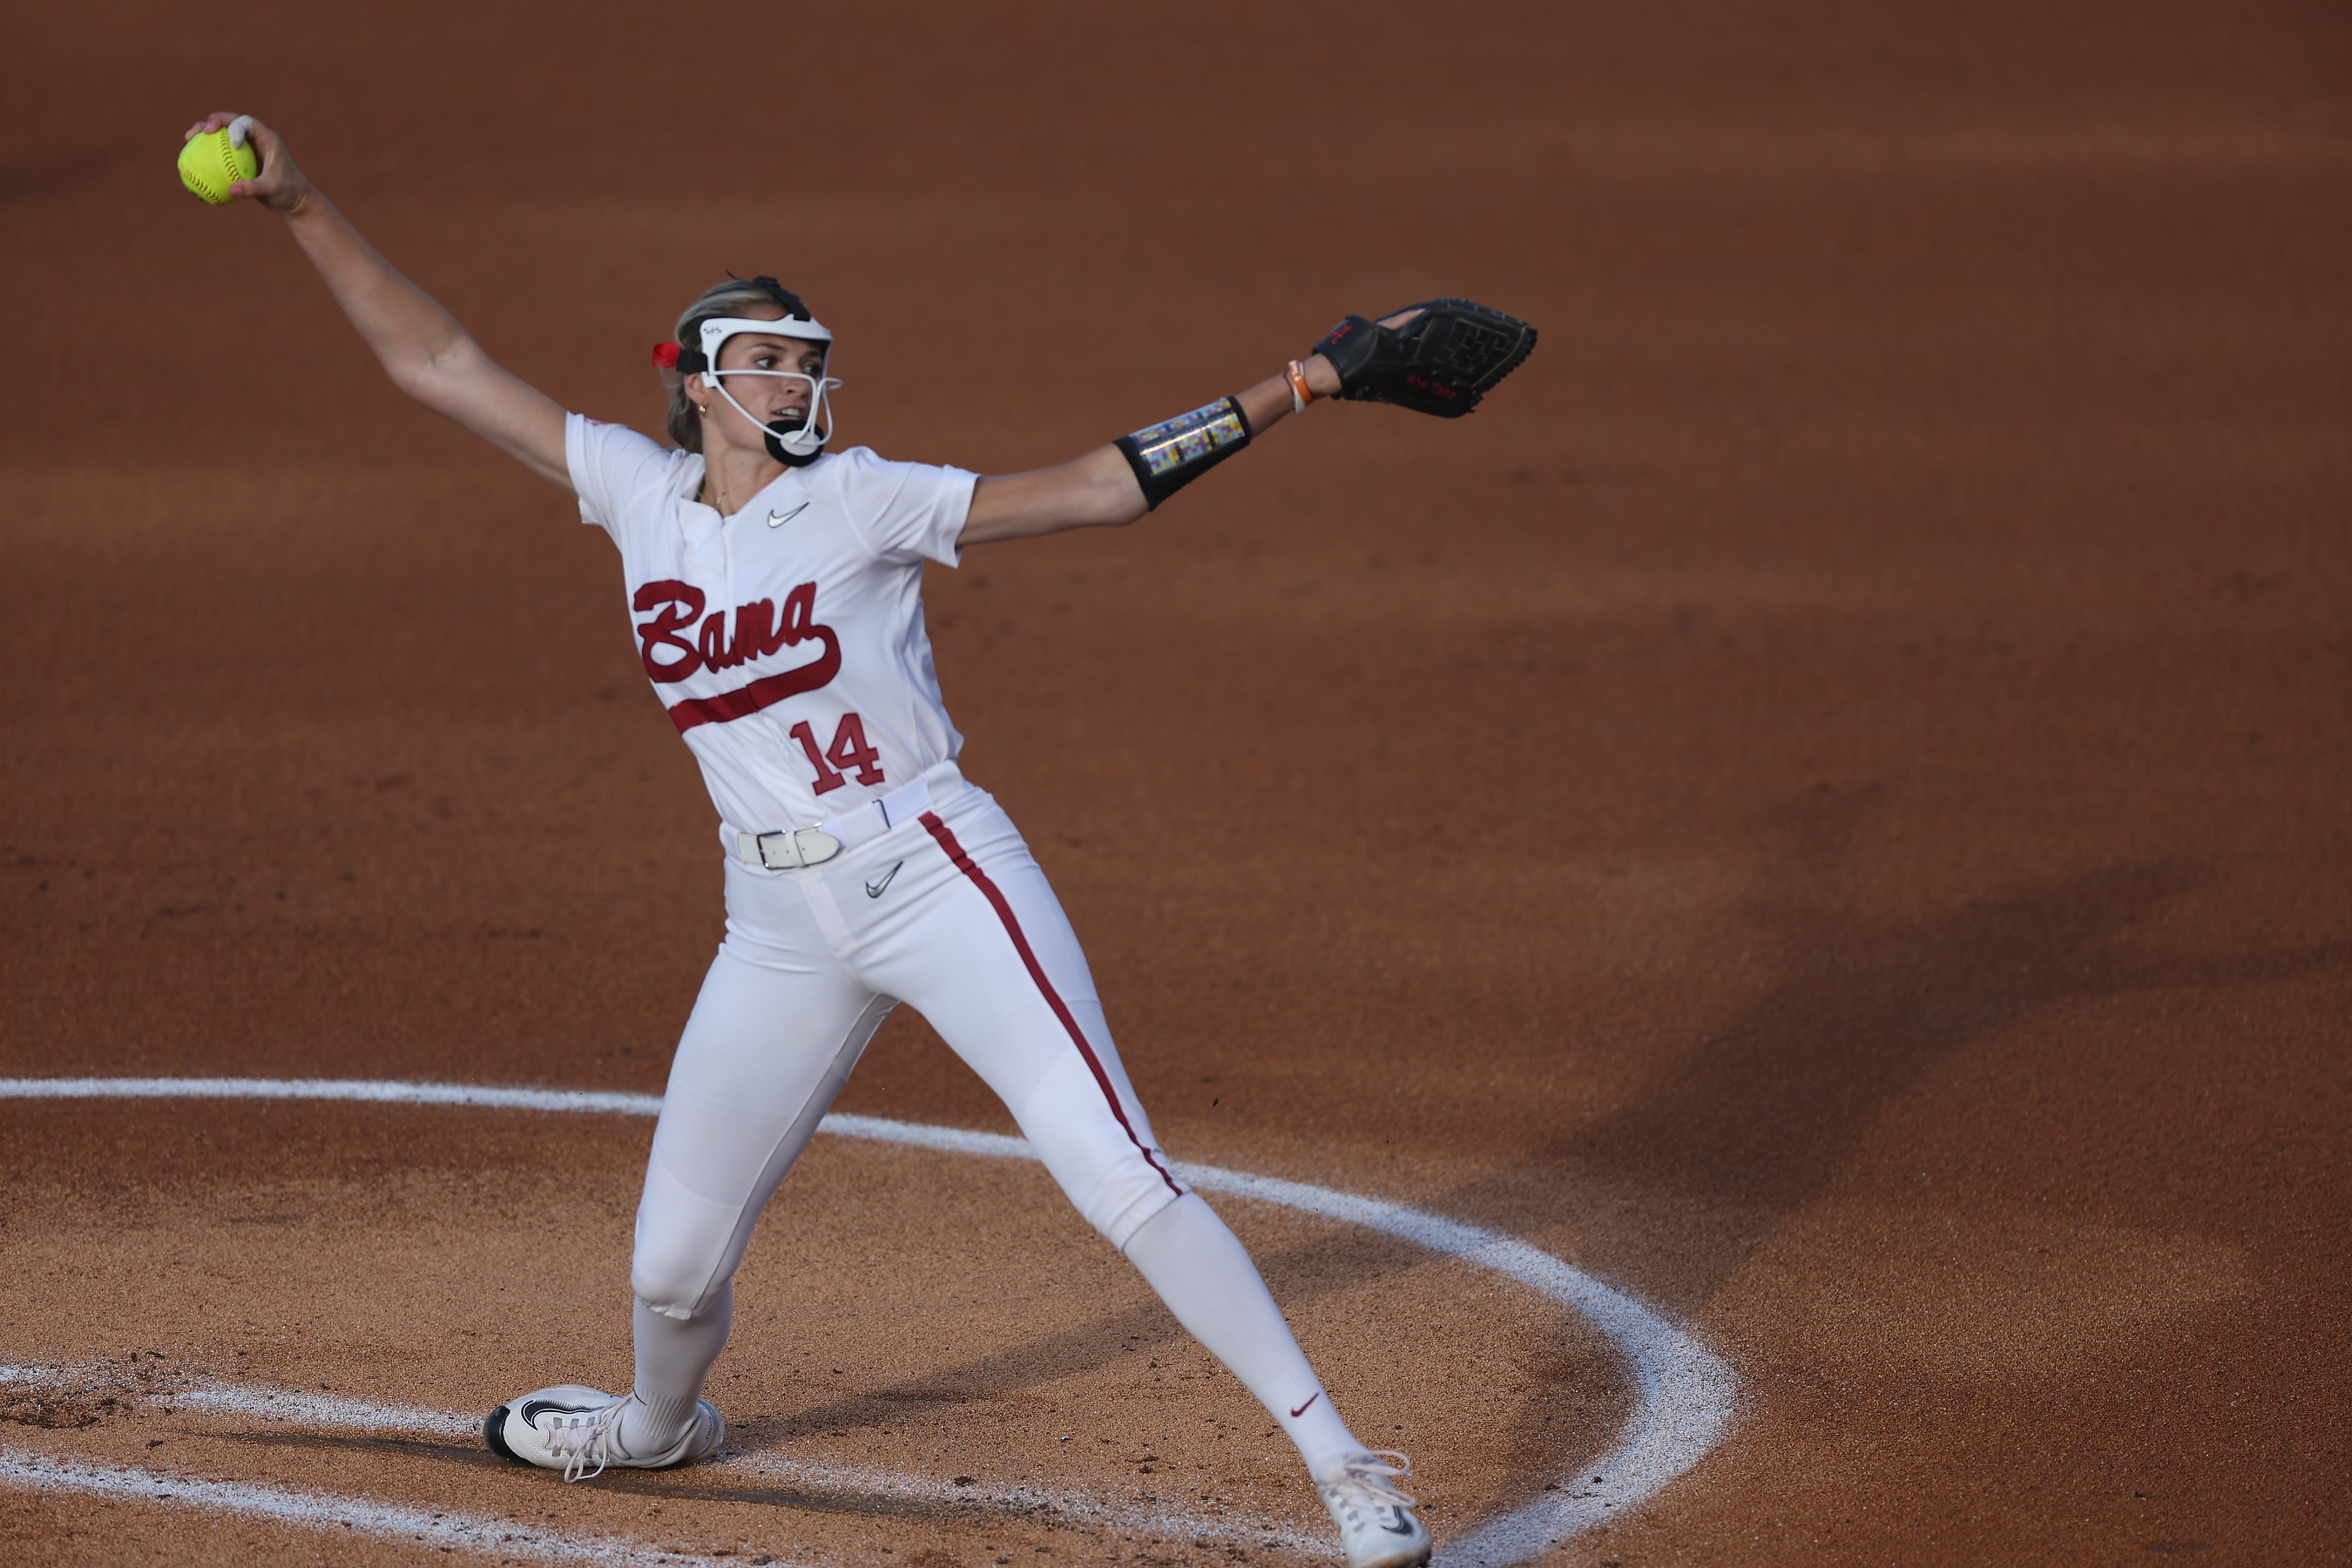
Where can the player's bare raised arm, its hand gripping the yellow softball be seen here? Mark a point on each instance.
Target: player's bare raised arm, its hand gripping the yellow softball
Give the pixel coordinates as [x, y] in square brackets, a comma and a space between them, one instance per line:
[420, 344]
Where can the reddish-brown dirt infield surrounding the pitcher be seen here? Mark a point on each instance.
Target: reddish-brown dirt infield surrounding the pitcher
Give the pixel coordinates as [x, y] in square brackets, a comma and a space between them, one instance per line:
[1822, 808]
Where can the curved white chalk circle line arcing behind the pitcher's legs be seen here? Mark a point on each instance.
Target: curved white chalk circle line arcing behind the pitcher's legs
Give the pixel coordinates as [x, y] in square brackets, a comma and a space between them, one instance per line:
[1685, 1393]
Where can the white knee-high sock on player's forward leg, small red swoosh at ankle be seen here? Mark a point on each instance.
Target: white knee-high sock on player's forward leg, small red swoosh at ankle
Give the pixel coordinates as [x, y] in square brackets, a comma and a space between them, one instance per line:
[1208, 1280]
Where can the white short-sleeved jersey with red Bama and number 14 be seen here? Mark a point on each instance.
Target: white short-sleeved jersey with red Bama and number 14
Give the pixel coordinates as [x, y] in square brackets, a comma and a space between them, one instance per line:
[787, 641]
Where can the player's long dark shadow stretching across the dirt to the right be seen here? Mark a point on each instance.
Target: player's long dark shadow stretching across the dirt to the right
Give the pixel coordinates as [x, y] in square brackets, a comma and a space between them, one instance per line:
[1763, 1113]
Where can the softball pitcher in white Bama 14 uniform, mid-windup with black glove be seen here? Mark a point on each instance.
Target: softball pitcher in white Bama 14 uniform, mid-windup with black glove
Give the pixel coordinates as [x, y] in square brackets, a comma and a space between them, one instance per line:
[775, 596]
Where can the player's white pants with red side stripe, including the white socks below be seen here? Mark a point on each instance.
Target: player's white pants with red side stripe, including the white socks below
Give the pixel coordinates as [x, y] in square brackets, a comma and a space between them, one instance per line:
[951, 916]
